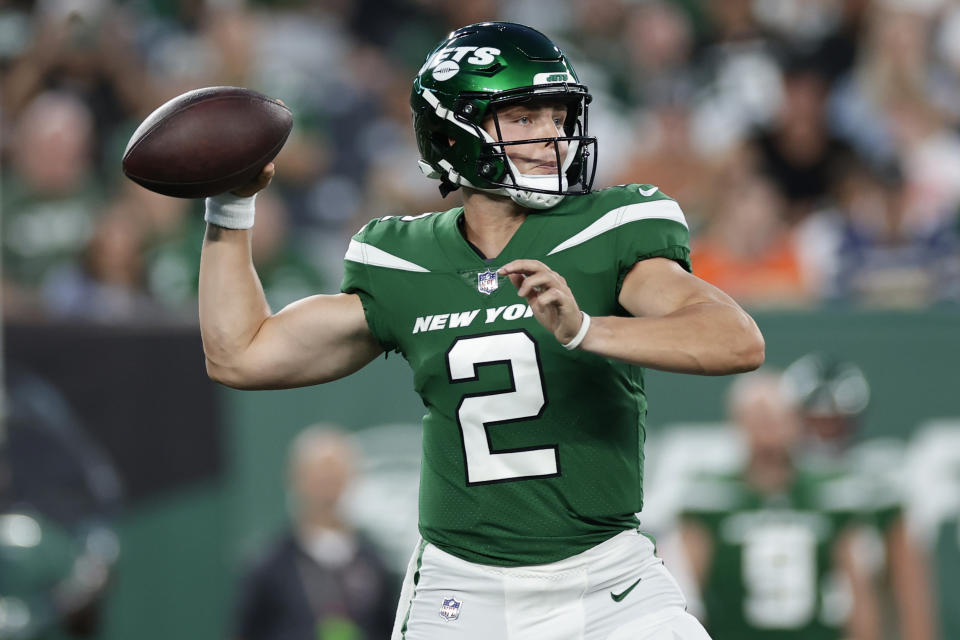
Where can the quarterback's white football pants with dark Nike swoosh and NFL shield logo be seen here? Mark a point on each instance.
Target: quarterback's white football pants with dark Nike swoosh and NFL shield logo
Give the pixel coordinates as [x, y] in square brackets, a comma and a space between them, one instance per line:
[618, 590]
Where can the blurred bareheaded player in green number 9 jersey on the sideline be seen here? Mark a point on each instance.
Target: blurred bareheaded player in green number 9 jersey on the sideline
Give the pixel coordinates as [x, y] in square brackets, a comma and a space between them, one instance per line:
[771, 544]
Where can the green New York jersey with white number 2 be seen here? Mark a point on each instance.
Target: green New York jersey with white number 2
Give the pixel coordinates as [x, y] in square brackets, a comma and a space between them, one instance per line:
[531, 453]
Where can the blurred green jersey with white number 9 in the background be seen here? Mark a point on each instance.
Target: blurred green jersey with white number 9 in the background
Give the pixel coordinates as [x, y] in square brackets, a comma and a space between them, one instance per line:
[772, 573]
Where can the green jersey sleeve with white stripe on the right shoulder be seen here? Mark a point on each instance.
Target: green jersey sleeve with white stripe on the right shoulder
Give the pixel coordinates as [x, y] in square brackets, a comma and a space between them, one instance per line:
[652, 226]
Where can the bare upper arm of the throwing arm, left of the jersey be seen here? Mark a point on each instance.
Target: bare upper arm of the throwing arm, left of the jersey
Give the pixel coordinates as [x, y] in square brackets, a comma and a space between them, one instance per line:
[314, 340]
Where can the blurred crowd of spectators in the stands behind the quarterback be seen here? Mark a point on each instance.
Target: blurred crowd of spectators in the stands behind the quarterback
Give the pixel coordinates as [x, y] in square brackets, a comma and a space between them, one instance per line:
[814, 145]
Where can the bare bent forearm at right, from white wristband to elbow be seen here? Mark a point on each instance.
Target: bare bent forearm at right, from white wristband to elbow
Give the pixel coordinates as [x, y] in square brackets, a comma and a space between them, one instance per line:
[707, 338]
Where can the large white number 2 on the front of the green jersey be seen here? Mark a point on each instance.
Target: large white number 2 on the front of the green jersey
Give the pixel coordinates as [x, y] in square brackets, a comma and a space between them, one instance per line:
[477, 412]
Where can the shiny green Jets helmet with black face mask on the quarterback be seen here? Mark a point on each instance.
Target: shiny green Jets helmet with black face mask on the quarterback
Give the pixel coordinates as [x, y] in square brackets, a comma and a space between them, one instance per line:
[477, 70]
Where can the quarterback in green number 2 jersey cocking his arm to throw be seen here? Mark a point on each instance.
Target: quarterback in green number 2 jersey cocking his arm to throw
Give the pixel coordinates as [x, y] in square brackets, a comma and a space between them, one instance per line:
[527, 315]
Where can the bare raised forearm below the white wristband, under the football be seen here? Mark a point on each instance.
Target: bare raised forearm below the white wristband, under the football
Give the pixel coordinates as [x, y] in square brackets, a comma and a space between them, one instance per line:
[232, 304]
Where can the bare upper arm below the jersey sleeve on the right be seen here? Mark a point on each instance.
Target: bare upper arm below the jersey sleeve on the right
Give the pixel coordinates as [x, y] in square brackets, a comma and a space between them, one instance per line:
[660, 286]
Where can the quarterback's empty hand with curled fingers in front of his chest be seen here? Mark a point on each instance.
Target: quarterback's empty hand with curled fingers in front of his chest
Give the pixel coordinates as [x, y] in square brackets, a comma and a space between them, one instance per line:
[548, 295]
